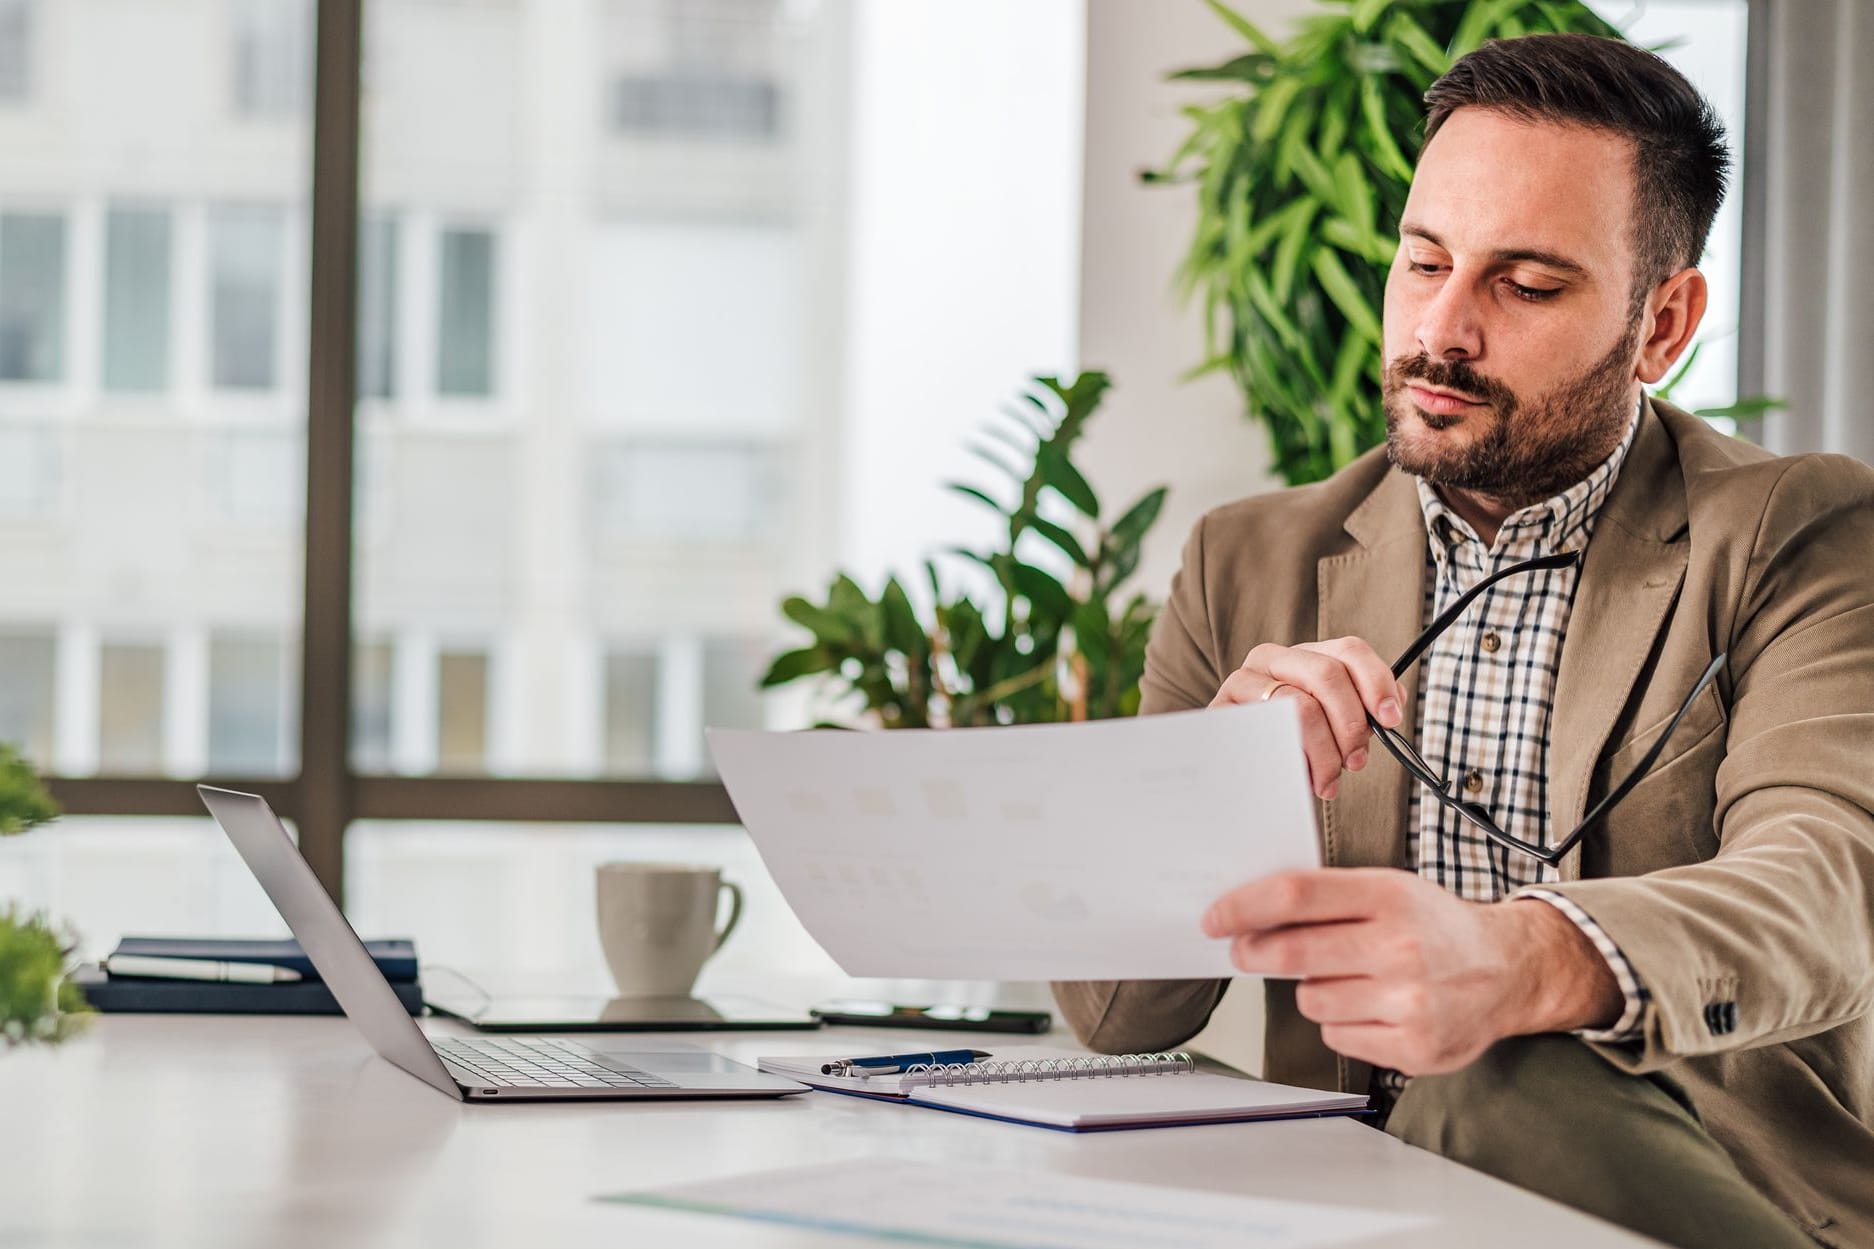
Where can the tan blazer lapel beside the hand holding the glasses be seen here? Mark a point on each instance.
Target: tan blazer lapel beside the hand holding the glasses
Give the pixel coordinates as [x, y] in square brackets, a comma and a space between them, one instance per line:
[1376, 592]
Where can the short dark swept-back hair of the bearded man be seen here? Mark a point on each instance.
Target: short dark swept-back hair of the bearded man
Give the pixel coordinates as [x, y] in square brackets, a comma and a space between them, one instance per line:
[1680, 157]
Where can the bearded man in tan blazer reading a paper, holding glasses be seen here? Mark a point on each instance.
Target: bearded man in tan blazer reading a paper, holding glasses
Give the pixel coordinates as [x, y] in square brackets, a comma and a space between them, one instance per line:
[1599, 905]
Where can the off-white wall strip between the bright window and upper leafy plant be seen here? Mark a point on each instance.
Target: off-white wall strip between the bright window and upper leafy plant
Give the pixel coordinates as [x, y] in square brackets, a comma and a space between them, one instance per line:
[1157, 430]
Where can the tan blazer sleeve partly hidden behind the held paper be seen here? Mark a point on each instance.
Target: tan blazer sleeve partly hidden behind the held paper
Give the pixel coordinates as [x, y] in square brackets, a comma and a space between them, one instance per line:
[1182, 672]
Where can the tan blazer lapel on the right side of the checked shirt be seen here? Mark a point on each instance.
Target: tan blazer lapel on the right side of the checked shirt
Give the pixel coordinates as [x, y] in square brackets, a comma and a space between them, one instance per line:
[1631, 577]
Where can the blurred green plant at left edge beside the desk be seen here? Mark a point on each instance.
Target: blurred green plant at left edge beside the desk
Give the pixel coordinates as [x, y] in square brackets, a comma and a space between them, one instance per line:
[37, 1002]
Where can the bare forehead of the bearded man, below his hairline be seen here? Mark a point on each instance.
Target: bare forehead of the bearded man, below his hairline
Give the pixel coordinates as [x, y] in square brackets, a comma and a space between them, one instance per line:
[1491, 183]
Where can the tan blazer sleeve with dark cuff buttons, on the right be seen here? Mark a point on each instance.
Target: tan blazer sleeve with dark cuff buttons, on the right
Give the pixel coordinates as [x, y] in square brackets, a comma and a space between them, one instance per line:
[1774, 937]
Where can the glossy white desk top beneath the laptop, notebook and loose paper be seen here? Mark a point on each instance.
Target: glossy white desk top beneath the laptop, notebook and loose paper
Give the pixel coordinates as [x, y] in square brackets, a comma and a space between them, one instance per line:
[288, 1132]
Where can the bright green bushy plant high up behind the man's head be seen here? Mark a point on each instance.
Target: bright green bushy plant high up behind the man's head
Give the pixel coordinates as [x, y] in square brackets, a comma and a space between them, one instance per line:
[1301, 175]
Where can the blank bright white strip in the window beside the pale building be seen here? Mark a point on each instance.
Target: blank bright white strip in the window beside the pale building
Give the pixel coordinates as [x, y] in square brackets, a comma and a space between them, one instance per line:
[964, 217]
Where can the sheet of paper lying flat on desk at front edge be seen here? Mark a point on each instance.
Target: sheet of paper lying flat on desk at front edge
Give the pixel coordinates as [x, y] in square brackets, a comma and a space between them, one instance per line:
[989, 1209]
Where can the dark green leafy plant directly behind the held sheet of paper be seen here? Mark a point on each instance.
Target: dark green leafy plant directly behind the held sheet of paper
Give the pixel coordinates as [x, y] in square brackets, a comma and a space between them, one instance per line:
[1045, 650]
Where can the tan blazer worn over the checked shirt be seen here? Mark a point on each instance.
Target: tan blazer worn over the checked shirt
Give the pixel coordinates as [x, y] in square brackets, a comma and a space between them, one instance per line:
[1738, 877]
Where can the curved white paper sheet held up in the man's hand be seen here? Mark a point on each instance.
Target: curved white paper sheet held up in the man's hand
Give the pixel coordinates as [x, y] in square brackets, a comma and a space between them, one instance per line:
[1024, 854]
